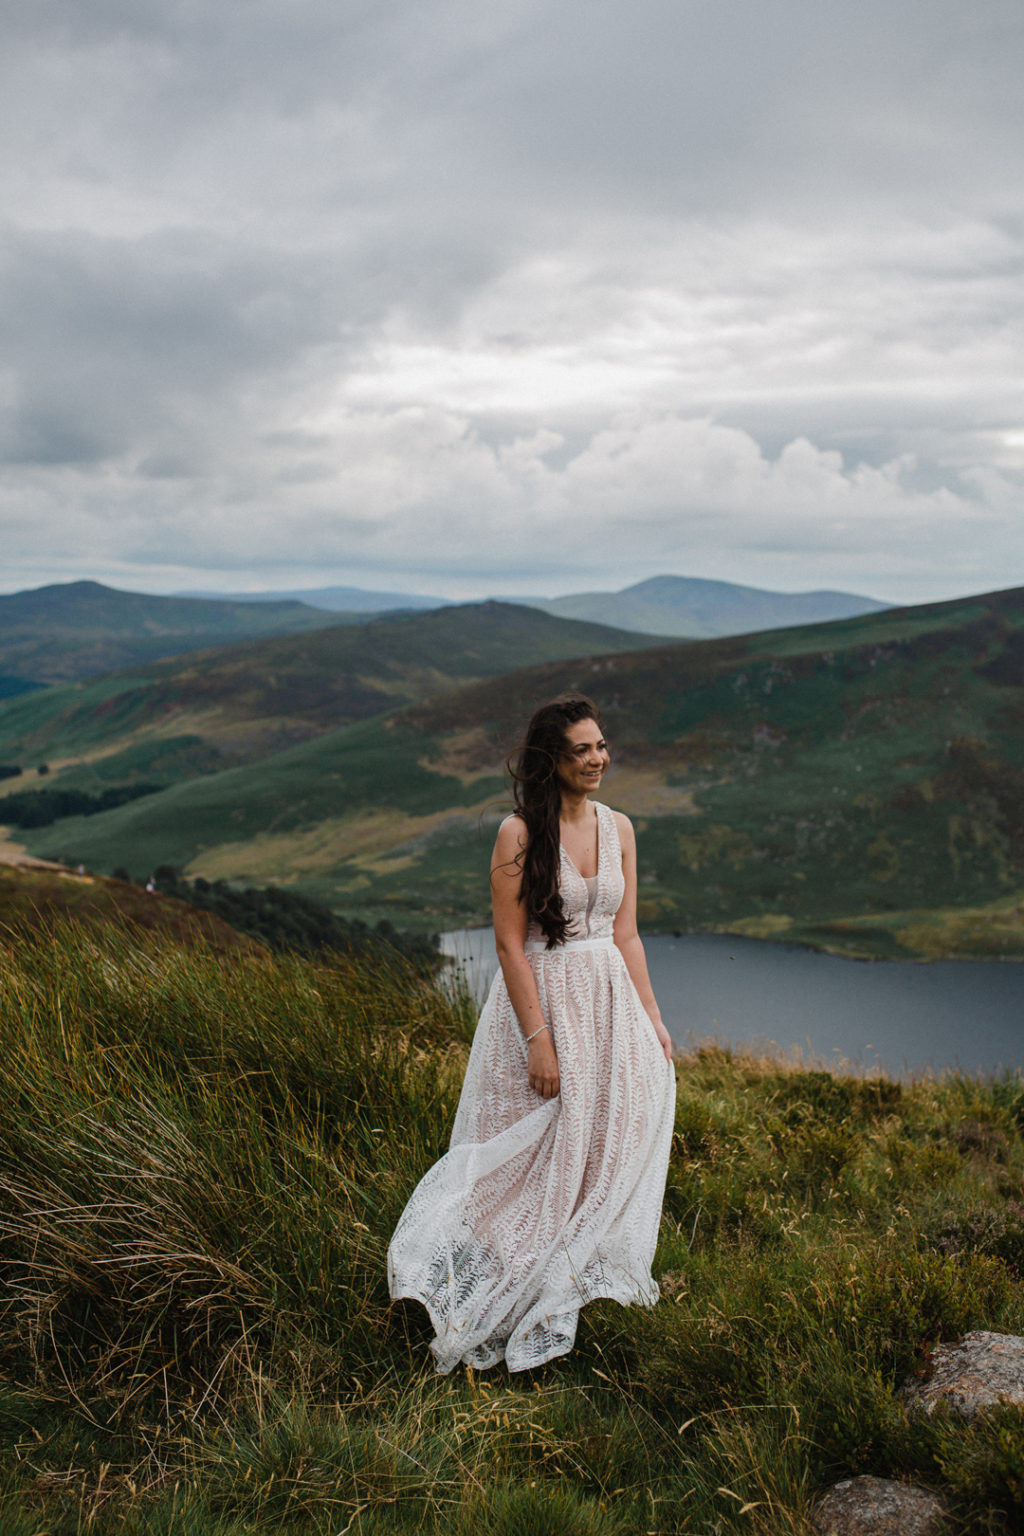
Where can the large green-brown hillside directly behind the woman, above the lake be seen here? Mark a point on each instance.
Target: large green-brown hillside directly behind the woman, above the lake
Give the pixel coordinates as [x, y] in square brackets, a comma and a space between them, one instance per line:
[856, 786]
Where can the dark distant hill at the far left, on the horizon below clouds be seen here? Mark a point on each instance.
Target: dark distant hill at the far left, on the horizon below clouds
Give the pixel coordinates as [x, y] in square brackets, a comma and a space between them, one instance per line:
[82, 629]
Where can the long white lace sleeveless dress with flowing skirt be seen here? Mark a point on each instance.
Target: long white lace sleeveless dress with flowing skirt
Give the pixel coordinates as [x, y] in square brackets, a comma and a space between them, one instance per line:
[544, 1205]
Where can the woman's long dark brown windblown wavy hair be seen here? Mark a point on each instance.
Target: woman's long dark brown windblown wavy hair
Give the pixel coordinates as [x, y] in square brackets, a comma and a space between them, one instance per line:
[540, 804]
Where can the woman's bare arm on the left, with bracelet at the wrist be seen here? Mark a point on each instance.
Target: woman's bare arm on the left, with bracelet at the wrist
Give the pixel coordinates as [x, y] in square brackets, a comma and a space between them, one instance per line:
[510, 936]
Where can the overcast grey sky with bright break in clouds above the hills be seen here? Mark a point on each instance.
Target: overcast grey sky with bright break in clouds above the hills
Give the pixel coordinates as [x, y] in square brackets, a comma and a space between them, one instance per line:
[512, 296]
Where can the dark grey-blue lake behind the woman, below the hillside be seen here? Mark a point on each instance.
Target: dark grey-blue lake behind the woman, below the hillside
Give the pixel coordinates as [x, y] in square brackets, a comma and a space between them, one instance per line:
[896, 1016]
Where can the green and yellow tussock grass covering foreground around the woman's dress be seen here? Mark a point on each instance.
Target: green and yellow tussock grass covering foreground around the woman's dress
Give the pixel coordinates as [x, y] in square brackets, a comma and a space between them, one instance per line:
[202, 1160]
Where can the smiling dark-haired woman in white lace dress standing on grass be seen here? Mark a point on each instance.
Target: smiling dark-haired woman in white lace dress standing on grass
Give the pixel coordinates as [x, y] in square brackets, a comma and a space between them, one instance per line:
[552, 1191]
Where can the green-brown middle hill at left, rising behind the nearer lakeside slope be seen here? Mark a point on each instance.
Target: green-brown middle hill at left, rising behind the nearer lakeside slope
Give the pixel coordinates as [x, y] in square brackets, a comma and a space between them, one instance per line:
[188, 717]
